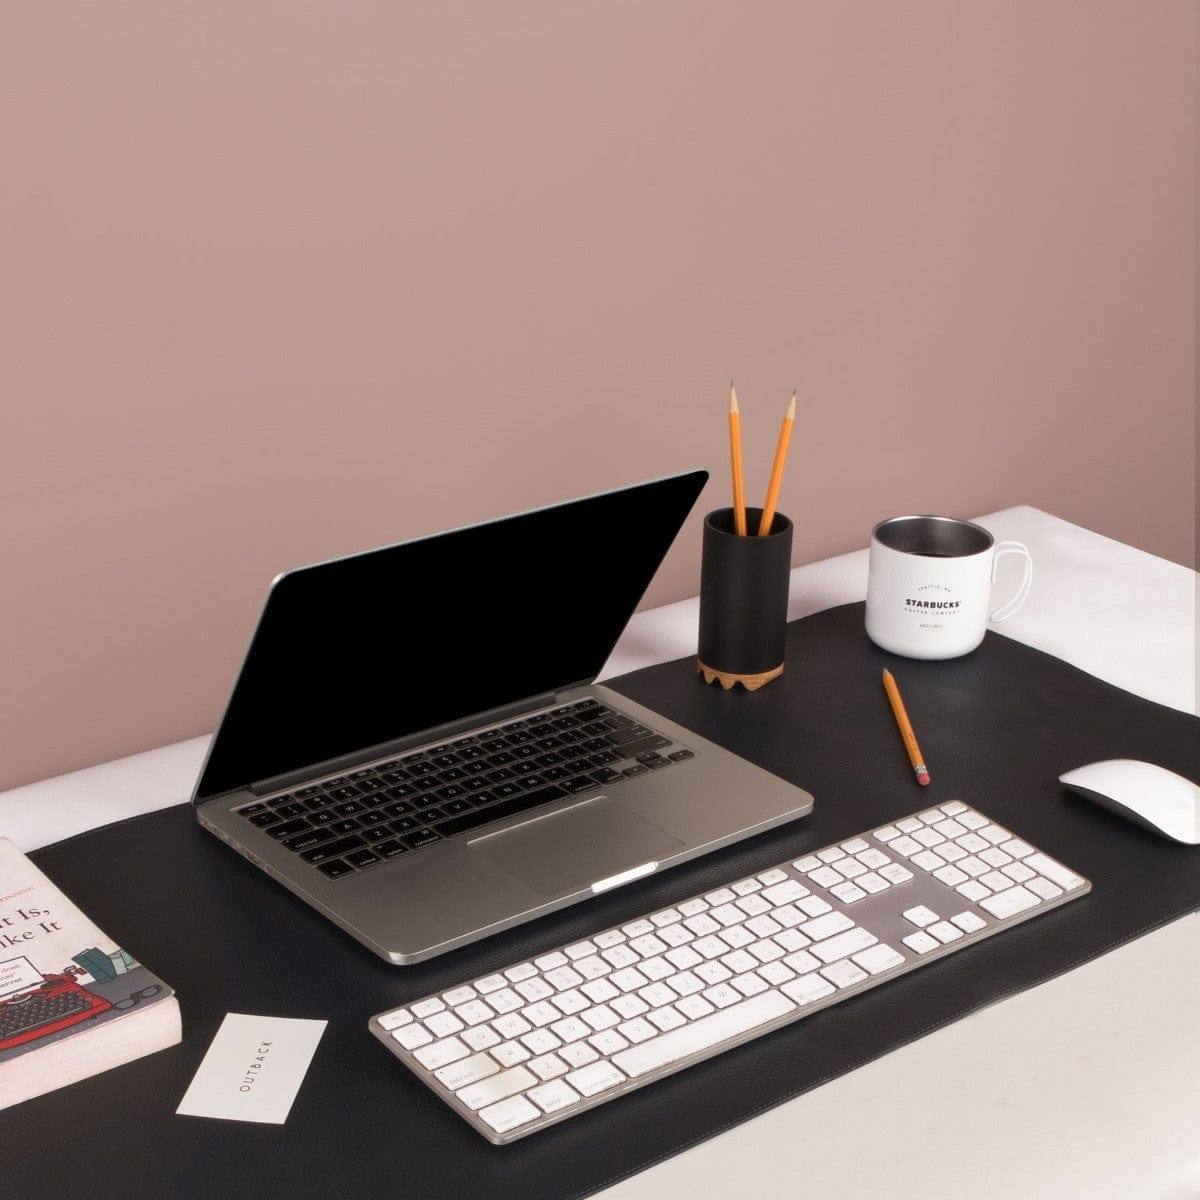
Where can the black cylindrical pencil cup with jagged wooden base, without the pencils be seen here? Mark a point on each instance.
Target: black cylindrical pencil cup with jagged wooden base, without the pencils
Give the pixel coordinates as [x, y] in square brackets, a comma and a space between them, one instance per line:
[743, 601]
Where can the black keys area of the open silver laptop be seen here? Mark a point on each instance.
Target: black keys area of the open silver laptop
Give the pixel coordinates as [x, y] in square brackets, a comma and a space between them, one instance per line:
[379, 813]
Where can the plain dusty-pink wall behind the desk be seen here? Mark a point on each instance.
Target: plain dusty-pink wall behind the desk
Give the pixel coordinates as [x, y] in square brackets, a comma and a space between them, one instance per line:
[287, 280]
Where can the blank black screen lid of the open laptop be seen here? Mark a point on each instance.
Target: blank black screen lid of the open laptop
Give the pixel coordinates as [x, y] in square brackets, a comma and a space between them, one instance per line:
[357, 653]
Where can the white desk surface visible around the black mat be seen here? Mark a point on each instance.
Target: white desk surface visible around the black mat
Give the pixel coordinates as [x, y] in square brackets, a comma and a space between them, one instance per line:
[1084, 1088]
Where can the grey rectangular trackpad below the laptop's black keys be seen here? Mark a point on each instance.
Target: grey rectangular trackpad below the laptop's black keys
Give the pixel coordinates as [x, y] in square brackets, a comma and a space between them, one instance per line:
[567, 851]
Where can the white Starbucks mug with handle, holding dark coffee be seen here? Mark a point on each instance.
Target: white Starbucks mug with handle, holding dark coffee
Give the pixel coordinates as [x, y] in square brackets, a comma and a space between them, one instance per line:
[929, 587]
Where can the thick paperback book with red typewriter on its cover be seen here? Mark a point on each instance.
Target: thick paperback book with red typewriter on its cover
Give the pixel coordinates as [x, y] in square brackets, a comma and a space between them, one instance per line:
[73, 1004]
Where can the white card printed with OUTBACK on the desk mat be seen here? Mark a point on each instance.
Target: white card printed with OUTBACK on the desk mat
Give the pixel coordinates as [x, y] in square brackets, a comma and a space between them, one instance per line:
[254, 1070]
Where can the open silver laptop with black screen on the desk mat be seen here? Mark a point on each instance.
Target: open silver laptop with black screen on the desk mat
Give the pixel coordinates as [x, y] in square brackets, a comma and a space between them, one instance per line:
[417, 747]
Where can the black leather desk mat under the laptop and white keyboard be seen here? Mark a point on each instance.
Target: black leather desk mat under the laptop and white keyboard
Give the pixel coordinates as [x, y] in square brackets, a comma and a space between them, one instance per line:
[998, 729]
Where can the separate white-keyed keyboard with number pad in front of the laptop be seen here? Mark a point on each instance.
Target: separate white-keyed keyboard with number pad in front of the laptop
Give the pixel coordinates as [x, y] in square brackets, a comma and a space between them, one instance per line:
[526, 1048]
